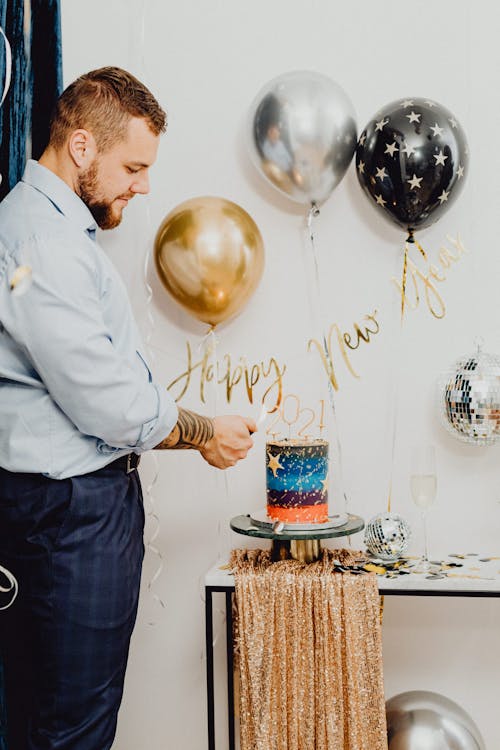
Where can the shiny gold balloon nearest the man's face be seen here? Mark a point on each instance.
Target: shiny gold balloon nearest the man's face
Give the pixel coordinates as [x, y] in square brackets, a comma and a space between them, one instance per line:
[209, 256]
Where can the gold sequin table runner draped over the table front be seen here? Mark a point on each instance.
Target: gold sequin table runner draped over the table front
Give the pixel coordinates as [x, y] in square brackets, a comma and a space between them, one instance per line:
[309, 650]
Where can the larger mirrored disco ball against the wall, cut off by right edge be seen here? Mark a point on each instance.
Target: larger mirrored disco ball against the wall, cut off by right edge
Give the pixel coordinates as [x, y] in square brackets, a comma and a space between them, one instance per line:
[469, 399]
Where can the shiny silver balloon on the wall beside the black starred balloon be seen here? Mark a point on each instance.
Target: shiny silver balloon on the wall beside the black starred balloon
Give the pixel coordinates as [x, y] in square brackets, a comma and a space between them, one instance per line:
[303, 135]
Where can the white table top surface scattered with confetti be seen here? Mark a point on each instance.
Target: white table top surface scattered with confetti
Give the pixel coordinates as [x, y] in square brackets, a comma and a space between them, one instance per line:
[478, 576]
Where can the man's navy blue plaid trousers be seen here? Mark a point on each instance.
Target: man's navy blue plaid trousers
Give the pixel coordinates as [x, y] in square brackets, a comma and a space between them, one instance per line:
[76, 548]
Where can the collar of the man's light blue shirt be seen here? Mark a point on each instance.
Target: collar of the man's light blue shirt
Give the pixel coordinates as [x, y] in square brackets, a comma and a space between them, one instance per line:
[61, 195]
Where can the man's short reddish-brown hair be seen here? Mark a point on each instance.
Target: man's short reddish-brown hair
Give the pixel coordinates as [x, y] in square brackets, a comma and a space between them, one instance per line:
[102, 102]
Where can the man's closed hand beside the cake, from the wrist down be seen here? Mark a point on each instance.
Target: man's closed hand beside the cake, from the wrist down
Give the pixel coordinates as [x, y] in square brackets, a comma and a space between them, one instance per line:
[231, 441]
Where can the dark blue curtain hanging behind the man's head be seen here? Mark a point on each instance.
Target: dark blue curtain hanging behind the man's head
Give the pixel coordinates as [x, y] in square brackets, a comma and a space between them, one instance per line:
[34, 33]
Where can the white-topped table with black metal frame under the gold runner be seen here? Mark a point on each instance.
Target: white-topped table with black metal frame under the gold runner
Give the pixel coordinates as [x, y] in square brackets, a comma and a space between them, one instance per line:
[478, 576]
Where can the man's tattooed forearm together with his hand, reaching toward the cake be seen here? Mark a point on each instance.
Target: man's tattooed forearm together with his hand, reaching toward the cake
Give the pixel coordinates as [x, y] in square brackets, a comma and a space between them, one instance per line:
[222, 441]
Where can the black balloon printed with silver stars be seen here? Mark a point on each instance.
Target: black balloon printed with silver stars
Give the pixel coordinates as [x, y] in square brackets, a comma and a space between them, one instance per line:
[412, 160]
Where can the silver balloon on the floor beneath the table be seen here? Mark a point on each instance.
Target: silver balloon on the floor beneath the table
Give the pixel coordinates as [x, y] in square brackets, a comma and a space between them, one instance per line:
[421, 720]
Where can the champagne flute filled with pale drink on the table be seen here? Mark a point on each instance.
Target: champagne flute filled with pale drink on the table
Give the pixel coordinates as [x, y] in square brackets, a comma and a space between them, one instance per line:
[423, 486]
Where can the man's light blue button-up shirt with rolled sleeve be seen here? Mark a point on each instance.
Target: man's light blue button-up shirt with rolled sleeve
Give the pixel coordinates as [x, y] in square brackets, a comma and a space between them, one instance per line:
[75, 389]
